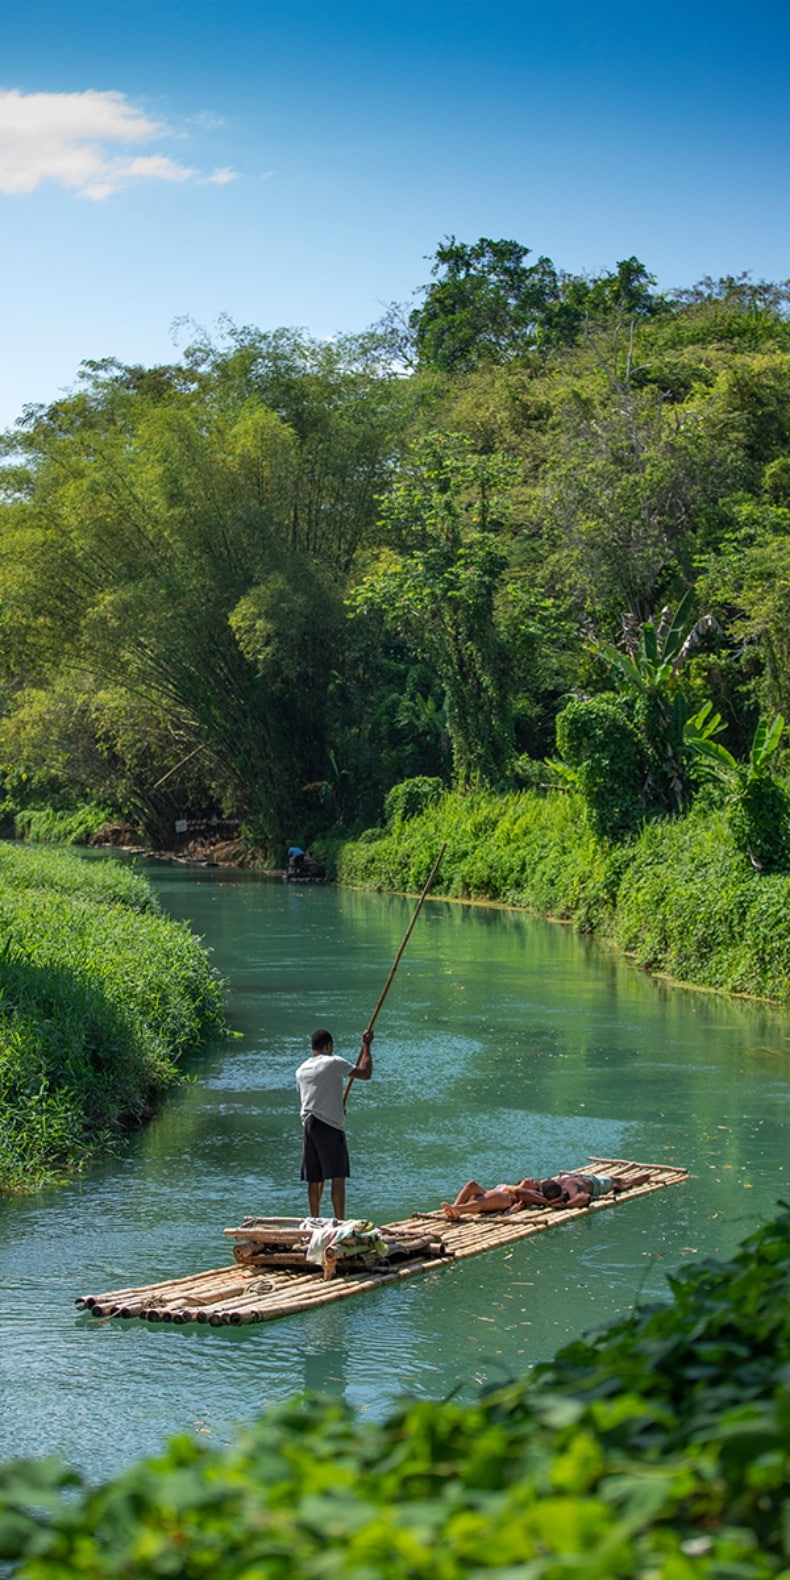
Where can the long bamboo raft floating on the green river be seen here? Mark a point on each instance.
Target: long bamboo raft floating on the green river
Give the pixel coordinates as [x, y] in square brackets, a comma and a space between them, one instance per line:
[271, 1277]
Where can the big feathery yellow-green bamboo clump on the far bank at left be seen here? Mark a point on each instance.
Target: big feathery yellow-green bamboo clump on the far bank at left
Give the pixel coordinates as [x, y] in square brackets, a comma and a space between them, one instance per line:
[171, 547]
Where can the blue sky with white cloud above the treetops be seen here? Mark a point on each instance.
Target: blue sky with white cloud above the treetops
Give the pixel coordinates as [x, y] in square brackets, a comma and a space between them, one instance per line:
[175, 162]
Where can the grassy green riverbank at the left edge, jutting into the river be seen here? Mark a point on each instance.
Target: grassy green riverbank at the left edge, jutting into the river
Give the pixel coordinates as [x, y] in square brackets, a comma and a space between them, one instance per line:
[100, 995]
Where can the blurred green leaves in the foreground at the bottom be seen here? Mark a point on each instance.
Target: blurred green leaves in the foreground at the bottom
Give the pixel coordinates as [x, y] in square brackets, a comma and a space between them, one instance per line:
[661, 1448]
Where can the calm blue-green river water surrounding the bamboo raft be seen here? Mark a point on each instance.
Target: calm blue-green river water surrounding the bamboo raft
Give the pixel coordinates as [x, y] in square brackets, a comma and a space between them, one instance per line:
[506, 1047]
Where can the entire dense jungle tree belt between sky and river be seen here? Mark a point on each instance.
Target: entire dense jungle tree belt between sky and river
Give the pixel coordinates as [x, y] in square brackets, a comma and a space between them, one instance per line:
[533, 517]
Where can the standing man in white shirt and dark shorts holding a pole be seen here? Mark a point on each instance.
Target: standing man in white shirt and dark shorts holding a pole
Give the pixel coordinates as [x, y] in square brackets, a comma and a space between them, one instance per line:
[325, 1151]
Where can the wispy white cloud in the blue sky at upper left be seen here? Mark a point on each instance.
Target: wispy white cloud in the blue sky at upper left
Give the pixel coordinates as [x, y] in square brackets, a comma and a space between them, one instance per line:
[72, 140]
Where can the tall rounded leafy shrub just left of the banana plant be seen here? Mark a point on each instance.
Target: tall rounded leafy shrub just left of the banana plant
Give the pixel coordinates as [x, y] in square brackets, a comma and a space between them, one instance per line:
[603, 747]
